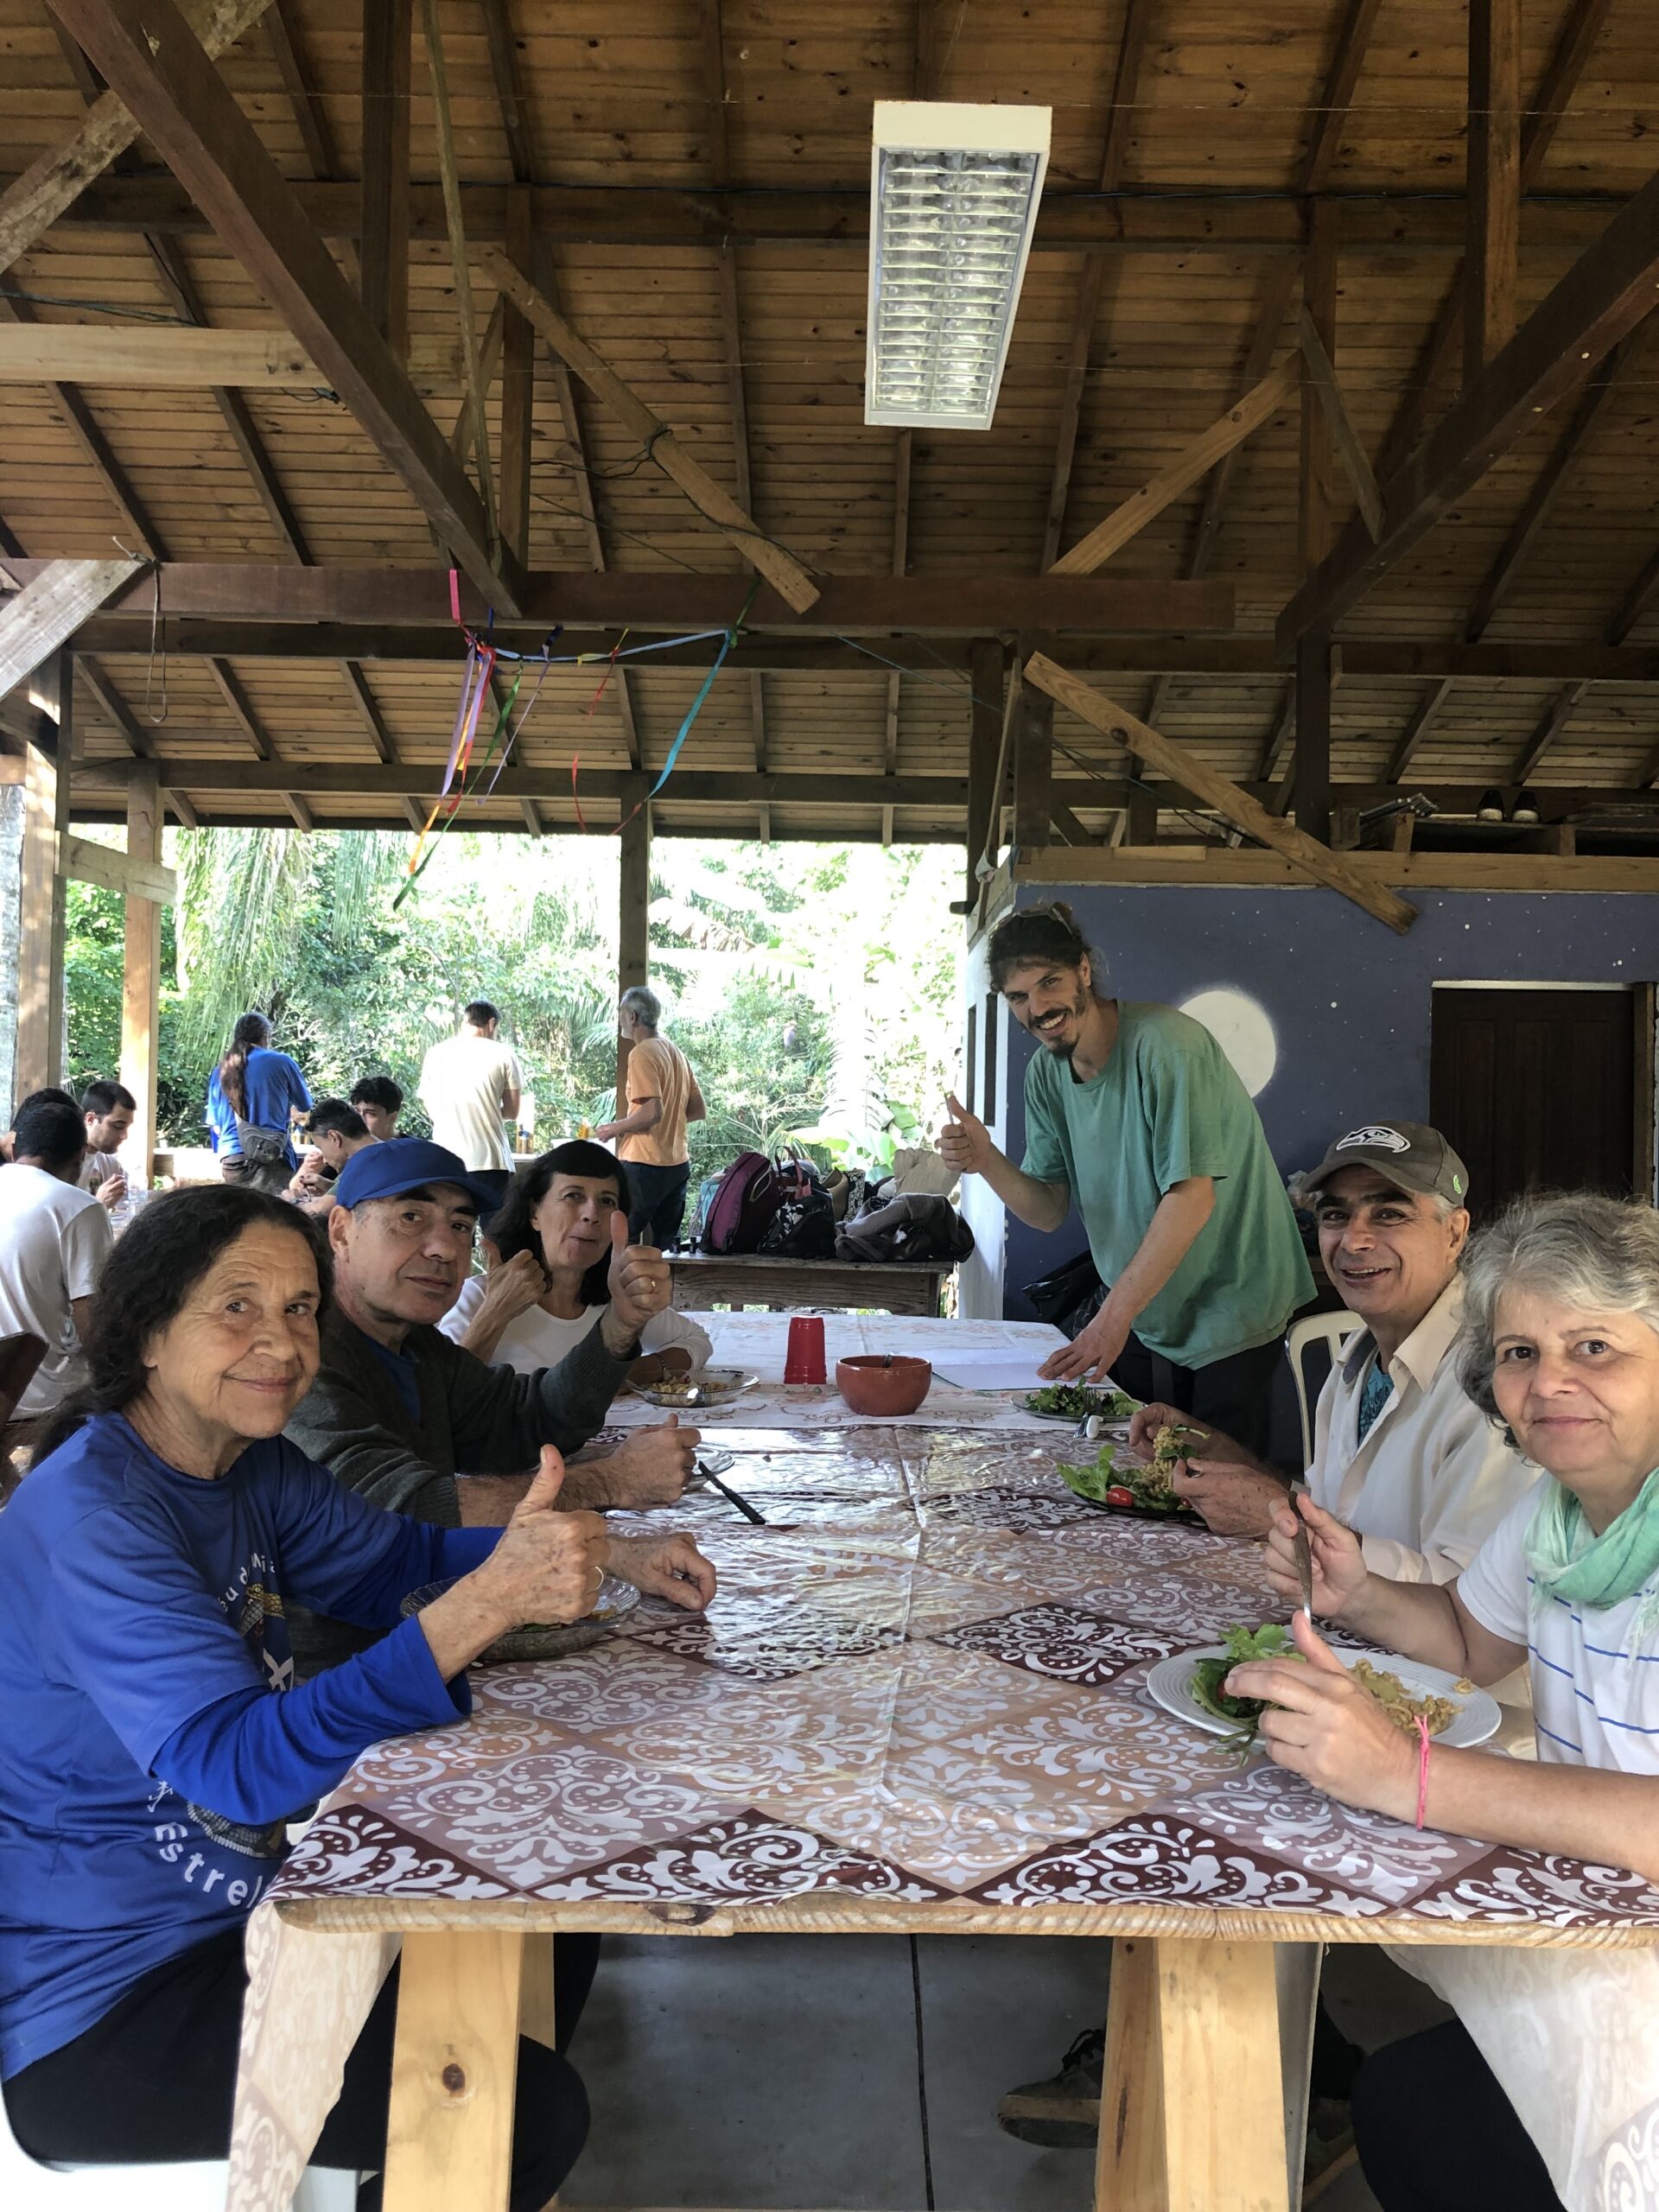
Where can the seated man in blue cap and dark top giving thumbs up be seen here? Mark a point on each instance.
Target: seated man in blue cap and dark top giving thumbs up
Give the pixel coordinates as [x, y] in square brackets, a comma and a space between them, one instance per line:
[424, 1428]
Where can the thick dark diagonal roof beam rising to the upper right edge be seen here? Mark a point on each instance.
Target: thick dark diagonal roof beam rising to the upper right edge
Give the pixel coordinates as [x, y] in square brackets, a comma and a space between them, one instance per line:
[1600, 300]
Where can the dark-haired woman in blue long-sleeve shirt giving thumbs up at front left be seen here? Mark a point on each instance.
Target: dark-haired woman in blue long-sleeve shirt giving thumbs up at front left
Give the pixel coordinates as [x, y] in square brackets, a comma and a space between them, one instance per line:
[154, 1742]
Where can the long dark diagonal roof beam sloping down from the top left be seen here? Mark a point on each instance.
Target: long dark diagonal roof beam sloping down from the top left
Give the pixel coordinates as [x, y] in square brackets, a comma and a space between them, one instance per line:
[154, 61]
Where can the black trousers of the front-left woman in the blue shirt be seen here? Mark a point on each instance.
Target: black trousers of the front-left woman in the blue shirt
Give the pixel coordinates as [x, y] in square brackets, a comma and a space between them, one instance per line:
[154, 2080]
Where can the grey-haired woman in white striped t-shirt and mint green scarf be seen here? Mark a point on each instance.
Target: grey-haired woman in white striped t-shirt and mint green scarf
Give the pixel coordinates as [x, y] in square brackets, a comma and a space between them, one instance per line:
[1561, 1346]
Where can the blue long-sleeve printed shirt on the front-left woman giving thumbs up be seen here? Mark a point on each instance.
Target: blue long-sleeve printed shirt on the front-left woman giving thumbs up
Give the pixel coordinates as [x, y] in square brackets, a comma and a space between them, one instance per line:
[154, 1740]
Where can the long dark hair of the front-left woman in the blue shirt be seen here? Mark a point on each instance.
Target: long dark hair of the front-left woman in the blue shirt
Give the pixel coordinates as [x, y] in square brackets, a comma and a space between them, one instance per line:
[147, 1280]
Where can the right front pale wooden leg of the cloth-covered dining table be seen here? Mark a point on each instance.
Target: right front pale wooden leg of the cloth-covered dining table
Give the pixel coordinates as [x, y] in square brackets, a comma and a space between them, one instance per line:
[1191, 2111]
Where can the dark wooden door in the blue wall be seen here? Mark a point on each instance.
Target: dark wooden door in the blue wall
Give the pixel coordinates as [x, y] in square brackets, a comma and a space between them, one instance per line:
[1538, 1089]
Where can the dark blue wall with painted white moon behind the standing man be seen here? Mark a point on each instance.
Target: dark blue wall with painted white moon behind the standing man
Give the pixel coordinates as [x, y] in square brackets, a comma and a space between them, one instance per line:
[1348, 999]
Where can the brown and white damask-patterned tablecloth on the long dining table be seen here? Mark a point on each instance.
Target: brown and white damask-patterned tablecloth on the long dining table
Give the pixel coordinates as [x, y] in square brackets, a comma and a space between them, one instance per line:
[924, 1680]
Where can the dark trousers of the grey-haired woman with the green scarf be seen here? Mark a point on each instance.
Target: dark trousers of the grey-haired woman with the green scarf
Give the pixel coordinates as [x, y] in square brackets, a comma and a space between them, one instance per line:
[1437, 2131]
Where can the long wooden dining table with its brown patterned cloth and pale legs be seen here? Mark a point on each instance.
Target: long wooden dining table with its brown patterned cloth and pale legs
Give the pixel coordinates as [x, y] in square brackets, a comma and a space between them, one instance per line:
[917, 1707]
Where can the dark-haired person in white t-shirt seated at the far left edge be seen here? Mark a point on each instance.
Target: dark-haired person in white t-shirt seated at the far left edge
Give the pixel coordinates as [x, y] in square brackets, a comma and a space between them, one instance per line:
[54, 1242]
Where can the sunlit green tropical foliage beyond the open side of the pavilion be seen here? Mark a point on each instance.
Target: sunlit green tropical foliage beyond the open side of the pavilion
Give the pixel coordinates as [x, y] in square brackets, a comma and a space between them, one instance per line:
[815, 988]
